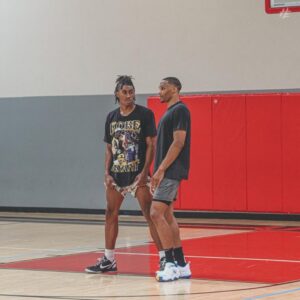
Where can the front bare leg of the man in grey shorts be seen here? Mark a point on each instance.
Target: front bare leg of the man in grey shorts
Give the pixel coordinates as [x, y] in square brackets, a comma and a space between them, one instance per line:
[158, 212]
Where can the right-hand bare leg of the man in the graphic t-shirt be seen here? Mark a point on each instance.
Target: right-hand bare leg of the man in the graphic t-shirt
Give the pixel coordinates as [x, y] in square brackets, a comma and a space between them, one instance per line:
[145, 199]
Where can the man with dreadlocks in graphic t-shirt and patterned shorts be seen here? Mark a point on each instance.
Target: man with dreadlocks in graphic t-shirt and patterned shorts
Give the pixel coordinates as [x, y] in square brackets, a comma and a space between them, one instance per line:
[129, 135]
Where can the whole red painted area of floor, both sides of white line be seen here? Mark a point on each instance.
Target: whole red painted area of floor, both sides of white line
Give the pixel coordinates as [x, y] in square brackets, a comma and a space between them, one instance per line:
[231, 257]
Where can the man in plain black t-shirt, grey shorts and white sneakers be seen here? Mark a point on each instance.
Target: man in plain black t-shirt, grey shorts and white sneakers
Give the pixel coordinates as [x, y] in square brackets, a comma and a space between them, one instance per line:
[172, 163]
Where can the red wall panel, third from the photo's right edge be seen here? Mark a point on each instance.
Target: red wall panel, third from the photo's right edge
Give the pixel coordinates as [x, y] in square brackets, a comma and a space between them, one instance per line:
[229, 153]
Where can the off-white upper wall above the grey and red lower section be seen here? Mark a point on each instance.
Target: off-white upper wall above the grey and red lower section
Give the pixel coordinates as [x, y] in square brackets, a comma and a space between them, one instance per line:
[77, 47]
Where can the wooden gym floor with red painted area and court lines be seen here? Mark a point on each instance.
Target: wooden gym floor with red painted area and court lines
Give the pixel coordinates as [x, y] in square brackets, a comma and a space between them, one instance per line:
[43, 256]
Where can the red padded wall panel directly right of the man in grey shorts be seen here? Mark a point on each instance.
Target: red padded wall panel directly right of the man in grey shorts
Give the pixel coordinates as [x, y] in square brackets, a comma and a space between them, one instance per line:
[196, 193]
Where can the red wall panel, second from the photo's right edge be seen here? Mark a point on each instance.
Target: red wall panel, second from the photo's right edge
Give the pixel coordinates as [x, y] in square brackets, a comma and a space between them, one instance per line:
[264, 153]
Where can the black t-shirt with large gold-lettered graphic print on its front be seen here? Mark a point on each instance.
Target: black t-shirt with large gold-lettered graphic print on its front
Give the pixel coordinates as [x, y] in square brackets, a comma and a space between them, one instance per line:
[127, 136]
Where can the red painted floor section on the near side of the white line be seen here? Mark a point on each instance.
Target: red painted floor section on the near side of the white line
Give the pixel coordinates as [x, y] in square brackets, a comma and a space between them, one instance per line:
[215, 269]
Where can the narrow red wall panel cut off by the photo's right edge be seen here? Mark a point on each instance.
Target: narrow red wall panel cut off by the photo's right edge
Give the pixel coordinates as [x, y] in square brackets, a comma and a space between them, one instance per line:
[291, 152]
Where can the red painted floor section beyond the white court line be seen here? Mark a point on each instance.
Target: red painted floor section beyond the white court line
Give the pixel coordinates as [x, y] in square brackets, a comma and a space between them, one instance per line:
[283, 245]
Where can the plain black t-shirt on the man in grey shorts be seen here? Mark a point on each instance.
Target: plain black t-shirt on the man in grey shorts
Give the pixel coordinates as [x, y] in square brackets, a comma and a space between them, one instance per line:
[177, 117]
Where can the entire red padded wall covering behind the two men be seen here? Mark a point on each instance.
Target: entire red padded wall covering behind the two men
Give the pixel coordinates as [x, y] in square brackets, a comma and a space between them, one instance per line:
[245, 153]
